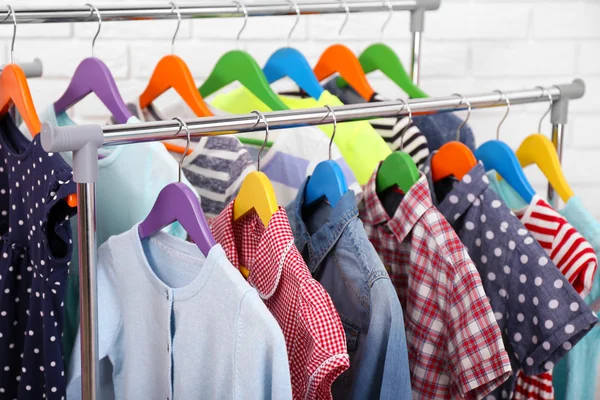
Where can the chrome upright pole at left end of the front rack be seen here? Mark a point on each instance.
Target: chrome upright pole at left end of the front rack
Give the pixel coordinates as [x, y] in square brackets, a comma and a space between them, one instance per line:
[88, 304]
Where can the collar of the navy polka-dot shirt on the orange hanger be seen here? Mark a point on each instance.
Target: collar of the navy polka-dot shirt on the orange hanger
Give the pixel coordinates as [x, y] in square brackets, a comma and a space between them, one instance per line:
[465, 193]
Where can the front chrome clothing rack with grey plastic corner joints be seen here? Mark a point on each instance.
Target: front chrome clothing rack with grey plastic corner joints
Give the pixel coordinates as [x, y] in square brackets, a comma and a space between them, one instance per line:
[85, 140]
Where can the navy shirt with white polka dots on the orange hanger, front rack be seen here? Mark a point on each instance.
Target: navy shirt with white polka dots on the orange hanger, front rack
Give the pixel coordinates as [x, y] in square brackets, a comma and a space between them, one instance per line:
[541, 316]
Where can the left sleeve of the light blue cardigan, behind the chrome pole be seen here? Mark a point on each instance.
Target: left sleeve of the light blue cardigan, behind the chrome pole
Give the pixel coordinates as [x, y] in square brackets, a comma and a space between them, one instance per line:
[109, 322]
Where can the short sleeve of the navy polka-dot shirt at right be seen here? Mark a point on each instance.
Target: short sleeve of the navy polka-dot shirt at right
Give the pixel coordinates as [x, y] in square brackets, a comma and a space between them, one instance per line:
[546, 317]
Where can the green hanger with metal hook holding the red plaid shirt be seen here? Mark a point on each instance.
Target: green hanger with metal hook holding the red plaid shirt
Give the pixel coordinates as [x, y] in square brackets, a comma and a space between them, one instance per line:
[398, 169]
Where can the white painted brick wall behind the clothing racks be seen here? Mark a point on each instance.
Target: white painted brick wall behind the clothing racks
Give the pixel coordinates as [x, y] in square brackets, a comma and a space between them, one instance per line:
[470, 46]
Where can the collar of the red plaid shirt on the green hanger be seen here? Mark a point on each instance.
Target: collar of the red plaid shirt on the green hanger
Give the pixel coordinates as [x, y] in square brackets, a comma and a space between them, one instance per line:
[412, 207]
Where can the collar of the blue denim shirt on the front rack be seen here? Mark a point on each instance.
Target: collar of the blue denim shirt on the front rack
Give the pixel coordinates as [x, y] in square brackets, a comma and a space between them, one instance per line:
[325, 238]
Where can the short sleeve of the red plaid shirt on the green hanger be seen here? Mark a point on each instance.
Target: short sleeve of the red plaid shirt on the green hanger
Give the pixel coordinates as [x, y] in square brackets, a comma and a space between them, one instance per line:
[477, 358]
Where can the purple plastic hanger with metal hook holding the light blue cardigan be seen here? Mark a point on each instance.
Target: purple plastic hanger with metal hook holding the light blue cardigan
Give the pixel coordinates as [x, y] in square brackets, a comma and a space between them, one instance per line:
[177, 202]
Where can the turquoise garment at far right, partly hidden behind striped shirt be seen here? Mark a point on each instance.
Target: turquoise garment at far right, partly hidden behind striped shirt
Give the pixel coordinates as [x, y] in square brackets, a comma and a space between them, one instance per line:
[572, 376]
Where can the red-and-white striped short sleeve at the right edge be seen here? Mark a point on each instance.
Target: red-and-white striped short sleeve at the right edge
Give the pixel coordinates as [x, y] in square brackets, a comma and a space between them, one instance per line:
[574, 257]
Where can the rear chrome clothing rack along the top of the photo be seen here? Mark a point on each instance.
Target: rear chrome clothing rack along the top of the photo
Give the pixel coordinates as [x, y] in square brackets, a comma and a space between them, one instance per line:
[417, 9]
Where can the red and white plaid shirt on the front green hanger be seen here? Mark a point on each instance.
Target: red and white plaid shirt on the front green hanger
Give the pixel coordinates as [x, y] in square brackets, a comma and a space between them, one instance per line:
[455, 346]
